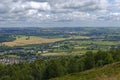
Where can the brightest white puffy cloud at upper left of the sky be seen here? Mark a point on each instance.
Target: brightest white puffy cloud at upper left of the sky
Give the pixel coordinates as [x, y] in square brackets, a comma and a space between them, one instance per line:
[30, 5]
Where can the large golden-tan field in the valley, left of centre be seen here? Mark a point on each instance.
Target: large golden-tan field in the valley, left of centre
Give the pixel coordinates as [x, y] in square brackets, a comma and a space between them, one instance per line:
[22, 40]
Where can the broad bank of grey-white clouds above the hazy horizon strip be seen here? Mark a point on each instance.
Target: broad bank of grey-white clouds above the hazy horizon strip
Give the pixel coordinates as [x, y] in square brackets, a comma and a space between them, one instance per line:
[59, 10]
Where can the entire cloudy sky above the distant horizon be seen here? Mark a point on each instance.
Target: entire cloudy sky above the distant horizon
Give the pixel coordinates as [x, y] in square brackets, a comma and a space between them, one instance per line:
[59, 13]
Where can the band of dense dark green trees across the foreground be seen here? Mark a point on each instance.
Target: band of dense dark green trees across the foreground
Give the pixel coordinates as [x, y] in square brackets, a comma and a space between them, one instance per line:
[47, 69]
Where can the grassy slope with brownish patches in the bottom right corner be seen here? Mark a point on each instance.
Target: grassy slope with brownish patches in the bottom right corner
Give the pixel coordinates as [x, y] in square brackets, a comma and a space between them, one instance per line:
[108, 72]
